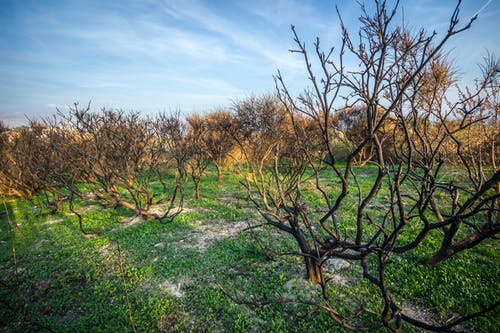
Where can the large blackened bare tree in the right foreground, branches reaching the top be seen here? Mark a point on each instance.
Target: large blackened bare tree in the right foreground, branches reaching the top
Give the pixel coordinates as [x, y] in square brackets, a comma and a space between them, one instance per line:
[400, 85]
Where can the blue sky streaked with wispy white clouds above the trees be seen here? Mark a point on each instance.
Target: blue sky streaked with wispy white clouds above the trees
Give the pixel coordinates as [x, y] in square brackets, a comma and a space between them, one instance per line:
[190, 55]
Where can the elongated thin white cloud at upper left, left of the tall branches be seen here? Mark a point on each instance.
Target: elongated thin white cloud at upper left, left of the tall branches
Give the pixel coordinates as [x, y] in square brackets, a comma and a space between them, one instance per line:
[140, 39]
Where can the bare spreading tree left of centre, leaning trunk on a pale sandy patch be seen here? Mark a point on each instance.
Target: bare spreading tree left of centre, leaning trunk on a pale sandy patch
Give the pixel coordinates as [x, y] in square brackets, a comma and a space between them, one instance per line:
[119, 155]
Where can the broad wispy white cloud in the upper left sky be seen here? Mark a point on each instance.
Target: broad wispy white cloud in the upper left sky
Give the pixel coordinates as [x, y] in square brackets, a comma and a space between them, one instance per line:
[137, 38]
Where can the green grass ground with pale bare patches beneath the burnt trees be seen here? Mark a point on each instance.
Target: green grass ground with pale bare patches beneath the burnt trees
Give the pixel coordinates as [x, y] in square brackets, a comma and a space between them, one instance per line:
[166, 276]
